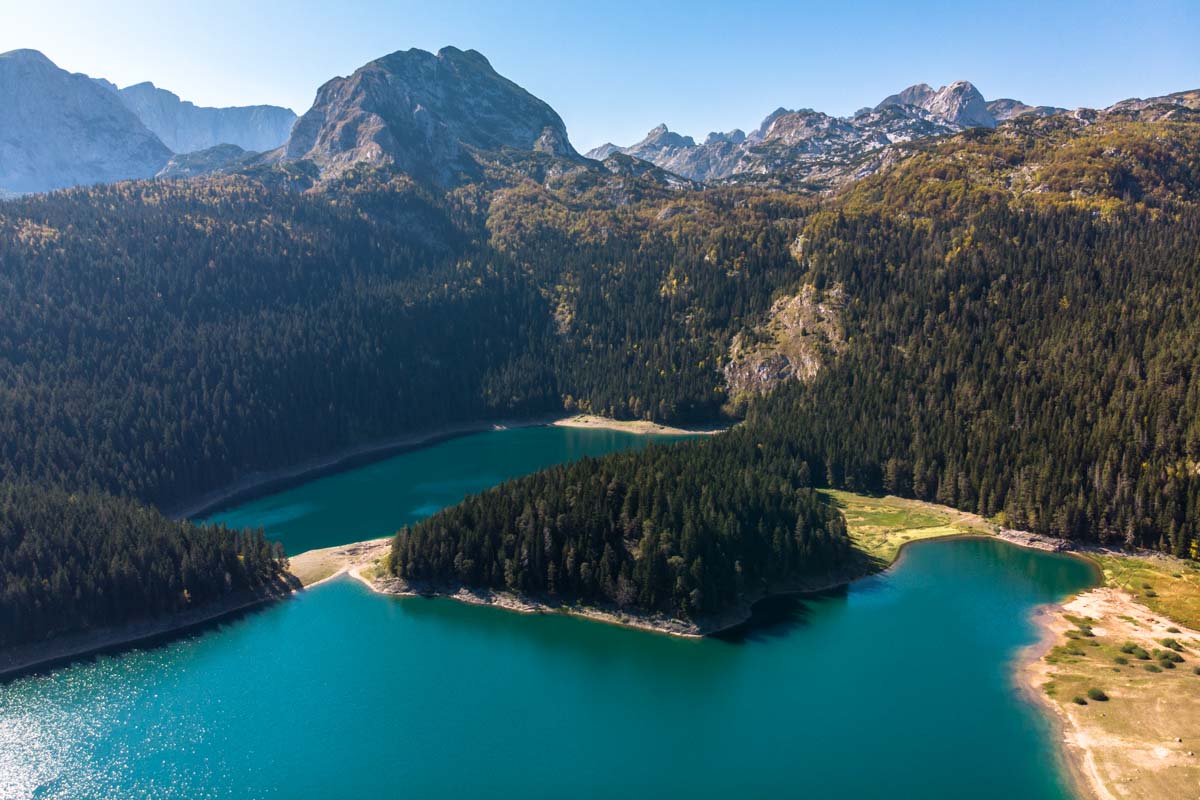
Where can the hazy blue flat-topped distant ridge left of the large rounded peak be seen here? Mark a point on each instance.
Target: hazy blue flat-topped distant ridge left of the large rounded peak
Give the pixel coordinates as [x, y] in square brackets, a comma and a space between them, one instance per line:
[187, 128]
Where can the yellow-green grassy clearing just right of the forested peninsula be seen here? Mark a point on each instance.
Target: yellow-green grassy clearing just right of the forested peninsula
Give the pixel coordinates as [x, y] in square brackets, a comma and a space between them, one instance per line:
[880, 527]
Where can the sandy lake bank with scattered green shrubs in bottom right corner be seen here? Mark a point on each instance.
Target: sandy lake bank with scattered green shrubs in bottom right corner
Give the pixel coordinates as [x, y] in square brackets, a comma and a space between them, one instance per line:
[1142, 661]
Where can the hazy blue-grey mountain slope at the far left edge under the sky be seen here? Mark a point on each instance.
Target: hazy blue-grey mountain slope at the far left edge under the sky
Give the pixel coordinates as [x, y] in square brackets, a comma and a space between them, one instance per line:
[59, 130]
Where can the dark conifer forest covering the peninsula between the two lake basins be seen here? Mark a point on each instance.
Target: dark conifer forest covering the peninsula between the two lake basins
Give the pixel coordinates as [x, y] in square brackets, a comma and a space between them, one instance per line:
[681, 530]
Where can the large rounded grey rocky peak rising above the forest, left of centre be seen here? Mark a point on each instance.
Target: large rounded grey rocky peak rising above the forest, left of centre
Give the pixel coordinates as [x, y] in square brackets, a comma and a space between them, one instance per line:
[427, 116]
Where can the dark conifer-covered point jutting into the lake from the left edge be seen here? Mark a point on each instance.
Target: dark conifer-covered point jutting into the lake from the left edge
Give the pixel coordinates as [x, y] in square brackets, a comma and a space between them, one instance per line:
[73, 562]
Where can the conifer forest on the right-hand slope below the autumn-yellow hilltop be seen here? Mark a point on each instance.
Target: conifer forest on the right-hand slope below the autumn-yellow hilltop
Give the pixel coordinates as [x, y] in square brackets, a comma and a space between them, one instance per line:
[1039, 365]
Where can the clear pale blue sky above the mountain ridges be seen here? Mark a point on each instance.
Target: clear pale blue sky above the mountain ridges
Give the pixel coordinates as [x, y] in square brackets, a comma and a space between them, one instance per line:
[615, 69]
